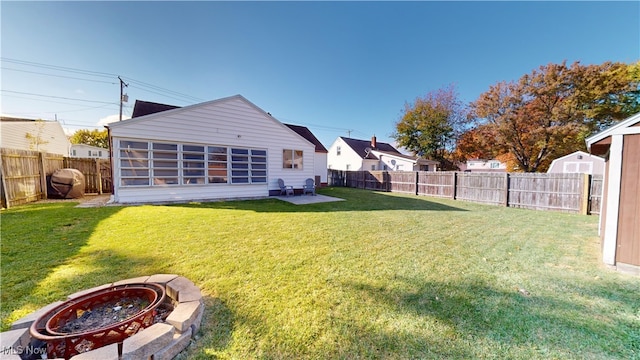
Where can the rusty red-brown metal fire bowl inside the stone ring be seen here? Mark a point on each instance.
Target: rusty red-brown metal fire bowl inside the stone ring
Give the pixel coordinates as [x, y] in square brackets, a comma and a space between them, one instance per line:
[99, 318]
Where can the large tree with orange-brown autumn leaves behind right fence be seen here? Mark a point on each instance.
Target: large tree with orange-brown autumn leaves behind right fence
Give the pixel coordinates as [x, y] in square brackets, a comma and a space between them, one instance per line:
[549, 112]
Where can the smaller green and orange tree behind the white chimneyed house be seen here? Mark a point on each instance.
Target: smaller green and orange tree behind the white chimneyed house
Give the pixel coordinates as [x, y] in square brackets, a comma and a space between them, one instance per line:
[429, 126]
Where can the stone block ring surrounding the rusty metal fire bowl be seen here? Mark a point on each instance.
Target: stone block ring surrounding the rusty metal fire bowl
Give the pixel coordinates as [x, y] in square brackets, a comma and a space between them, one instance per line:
[160, 341]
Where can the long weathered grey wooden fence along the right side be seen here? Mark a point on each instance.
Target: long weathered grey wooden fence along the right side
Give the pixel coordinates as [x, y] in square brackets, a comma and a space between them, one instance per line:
[576, 193]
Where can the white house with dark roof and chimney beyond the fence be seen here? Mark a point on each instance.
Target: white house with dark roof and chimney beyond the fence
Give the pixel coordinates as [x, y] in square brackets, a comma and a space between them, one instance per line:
[354, 155]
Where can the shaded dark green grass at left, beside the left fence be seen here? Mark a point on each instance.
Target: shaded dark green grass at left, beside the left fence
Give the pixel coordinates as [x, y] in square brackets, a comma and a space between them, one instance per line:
[36, 240]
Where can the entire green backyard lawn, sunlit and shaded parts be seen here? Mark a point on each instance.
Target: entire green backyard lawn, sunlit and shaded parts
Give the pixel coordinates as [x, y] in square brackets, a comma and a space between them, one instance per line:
[377, 276]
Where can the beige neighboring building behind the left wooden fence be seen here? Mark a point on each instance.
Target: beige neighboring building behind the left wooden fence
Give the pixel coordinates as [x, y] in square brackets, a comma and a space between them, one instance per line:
[35, 135]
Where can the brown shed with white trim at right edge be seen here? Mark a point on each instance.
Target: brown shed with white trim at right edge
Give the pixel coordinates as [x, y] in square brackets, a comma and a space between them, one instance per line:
[620, 215]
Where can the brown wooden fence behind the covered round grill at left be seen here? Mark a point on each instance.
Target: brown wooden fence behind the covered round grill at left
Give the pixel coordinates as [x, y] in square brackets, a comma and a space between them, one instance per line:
[24, 174]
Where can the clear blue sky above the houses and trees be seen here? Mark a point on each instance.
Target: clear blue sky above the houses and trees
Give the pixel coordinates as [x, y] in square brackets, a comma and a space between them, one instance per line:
[338, 68]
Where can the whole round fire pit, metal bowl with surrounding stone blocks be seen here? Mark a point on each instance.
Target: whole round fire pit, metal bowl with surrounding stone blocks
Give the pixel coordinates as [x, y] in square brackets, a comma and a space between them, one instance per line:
[158, 316]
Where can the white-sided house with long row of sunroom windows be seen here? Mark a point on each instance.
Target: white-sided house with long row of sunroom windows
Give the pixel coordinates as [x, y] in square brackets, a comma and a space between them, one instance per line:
[222, 149]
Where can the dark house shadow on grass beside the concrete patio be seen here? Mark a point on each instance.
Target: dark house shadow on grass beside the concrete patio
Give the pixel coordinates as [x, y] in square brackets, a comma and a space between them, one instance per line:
[356, 200]
